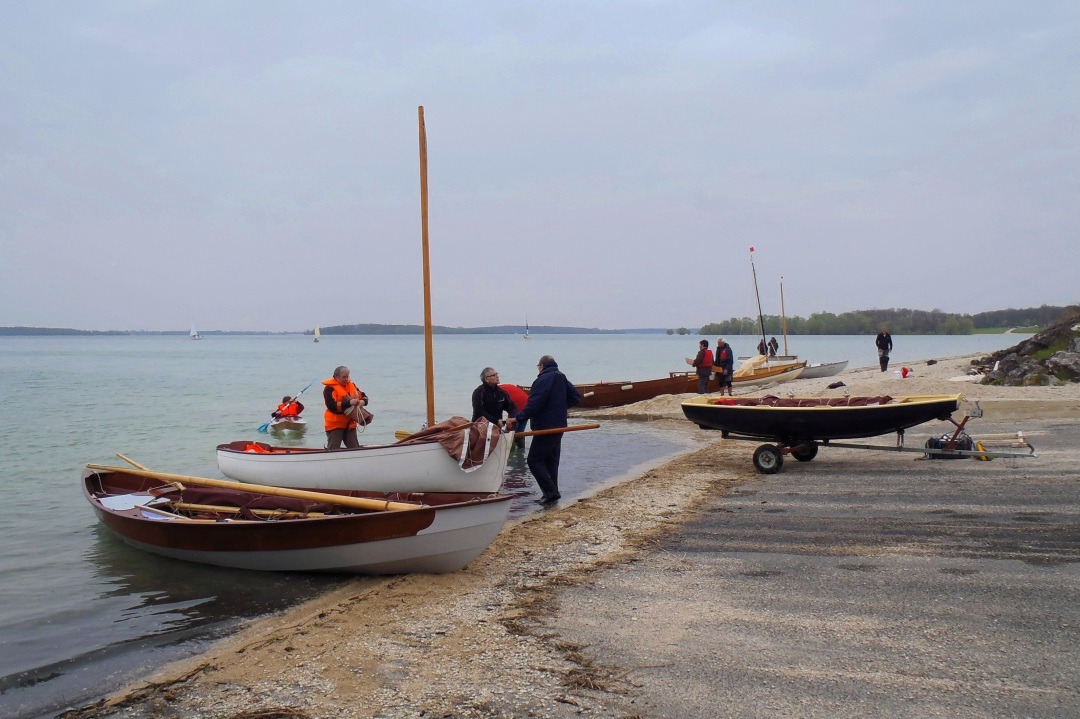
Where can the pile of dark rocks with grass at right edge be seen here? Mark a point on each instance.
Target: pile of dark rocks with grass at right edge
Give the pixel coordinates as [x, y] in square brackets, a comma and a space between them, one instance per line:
[1050, 358]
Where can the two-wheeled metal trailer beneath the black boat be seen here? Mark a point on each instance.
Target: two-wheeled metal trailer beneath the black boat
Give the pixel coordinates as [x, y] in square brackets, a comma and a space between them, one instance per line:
[769, 458]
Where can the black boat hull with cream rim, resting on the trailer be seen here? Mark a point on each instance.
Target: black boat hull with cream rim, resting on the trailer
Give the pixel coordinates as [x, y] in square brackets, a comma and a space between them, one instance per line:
[792, 425]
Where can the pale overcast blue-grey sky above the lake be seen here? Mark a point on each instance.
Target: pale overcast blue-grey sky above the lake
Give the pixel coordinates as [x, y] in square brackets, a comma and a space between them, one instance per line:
[254, 165]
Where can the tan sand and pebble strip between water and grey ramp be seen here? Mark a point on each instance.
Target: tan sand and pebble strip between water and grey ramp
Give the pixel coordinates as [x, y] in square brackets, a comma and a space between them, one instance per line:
[487, 640]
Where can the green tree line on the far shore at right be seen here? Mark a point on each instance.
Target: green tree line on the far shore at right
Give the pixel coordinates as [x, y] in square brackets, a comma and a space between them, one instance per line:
[899, 321]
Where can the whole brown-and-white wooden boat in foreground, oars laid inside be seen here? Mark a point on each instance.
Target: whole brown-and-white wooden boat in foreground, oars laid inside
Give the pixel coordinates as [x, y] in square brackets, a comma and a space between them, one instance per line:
[421, 533]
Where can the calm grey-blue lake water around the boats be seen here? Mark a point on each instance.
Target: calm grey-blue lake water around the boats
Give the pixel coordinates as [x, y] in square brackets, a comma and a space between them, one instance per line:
[80, 612]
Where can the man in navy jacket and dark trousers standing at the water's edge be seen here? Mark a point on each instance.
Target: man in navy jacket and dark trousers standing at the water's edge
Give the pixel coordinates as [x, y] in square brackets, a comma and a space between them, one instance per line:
[550, 397]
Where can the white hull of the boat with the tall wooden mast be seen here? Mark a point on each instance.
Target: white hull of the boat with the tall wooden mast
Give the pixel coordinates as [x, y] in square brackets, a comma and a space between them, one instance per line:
[415, 468]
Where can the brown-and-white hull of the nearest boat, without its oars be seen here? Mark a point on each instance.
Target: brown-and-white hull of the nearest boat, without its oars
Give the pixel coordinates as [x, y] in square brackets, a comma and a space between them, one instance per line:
[441, 536]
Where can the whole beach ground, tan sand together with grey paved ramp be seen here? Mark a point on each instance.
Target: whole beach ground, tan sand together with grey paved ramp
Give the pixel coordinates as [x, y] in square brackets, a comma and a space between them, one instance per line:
[596, 607]
